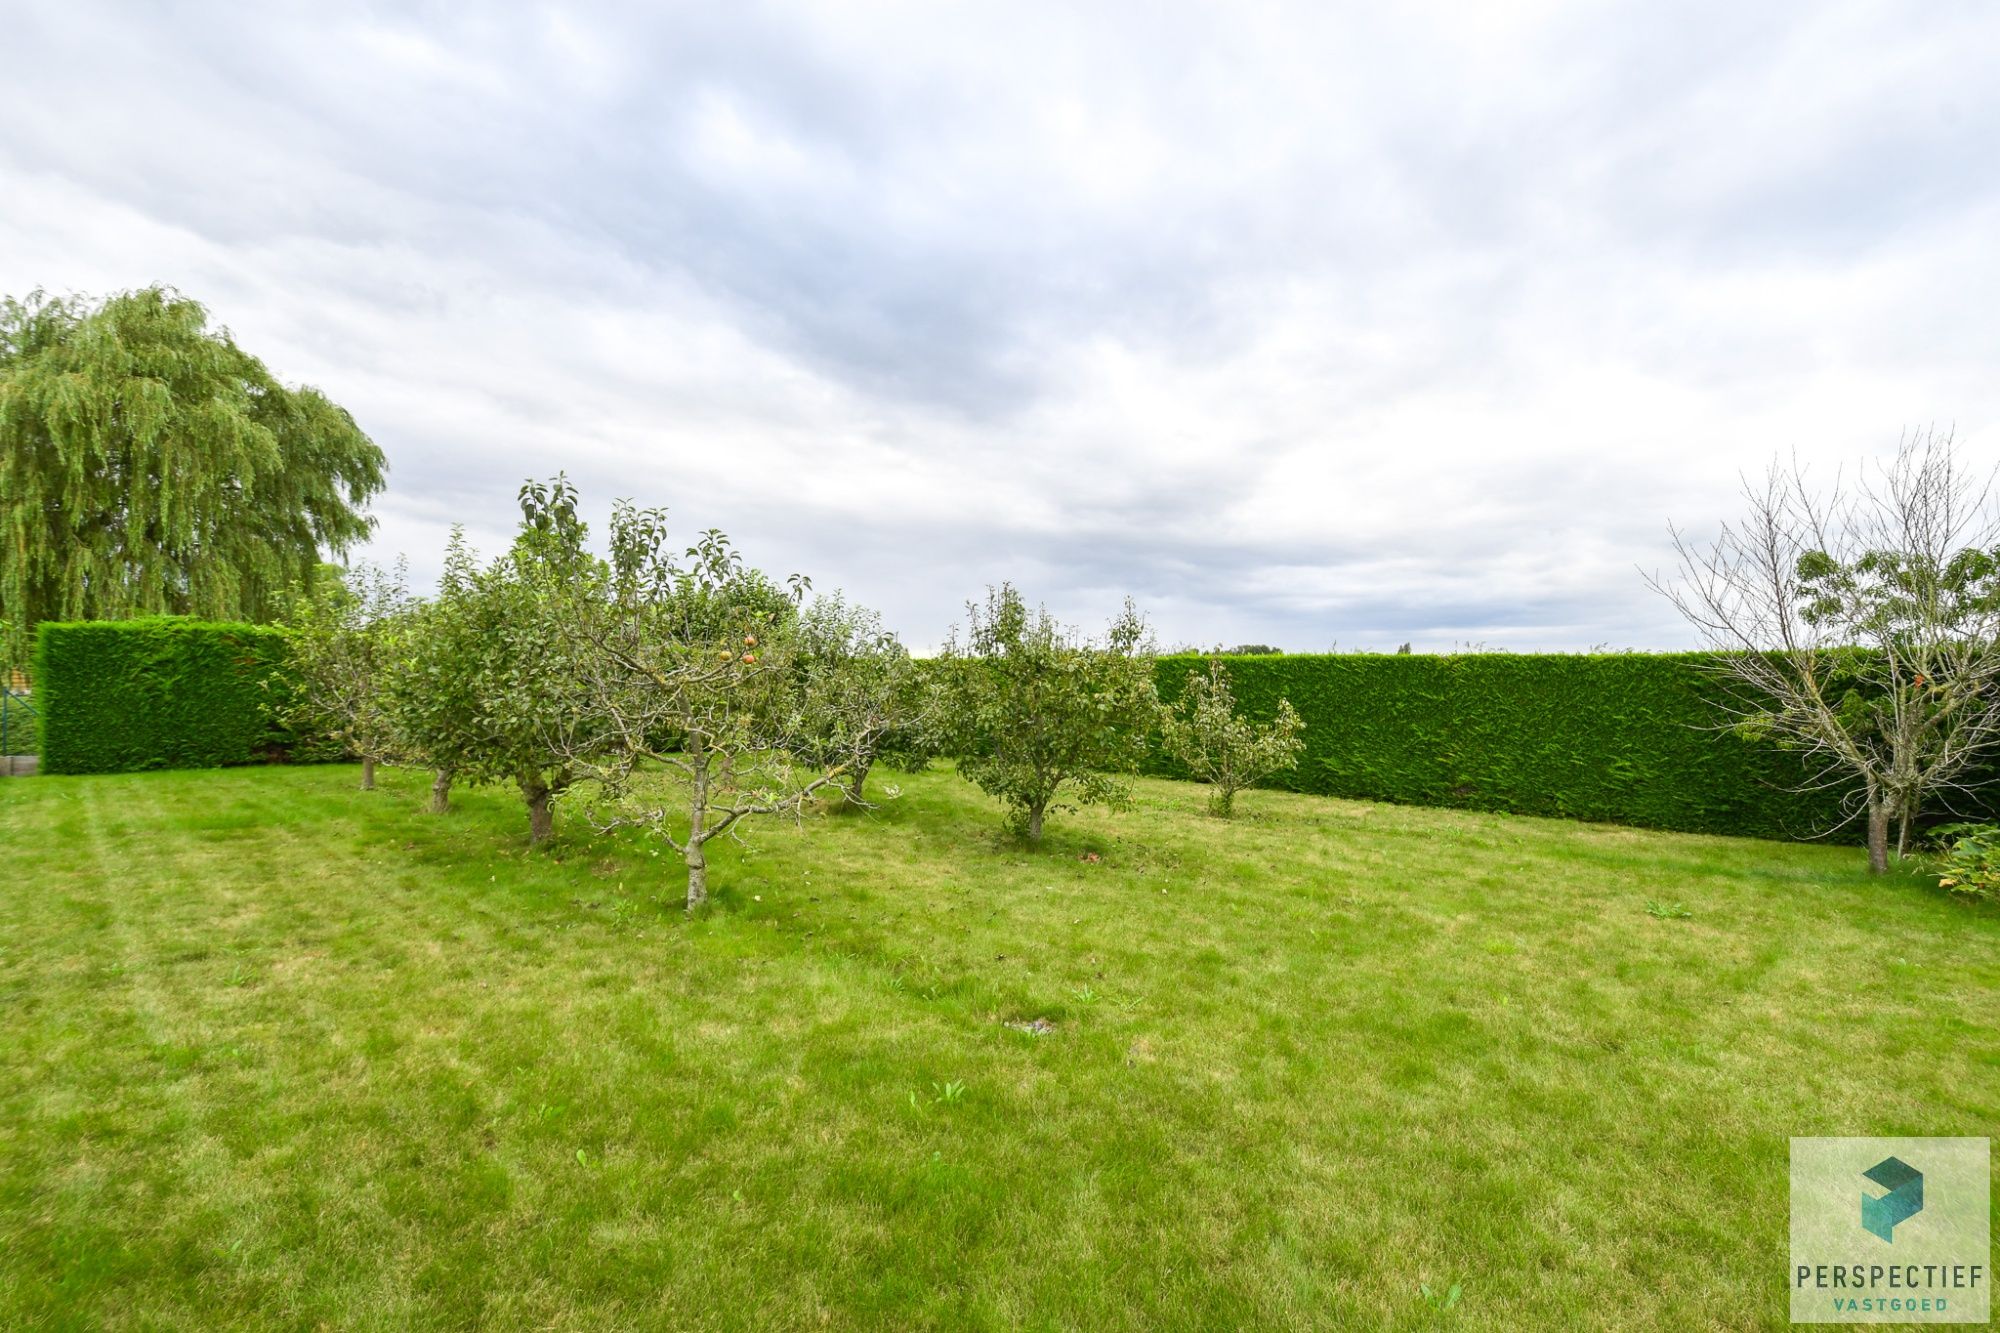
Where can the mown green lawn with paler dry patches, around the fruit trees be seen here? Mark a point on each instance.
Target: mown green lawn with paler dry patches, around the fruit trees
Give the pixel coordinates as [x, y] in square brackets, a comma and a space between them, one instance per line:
[283, 1054]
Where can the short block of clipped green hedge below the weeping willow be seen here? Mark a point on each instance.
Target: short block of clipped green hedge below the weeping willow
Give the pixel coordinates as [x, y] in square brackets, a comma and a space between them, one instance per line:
[159, 694]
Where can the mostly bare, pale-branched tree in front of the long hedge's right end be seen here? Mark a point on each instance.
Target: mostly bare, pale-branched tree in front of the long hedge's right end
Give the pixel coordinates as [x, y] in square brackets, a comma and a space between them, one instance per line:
[1861, 627]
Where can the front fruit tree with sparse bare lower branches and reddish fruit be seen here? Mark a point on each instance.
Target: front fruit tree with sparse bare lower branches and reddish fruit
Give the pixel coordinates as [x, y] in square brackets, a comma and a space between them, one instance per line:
[689, 674]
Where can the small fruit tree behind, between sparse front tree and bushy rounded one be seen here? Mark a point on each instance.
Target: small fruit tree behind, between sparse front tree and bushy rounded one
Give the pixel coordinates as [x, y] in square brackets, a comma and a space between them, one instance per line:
[861, 696]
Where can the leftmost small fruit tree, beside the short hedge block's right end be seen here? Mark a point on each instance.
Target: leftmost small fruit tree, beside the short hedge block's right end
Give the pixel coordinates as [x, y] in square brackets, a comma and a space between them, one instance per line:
[345, 631]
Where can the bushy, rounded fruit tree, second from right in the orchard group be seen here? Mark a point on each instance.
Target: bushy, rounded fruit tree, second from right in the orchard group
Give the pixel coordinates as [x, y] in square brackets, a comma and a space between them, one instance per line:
[1035, 714]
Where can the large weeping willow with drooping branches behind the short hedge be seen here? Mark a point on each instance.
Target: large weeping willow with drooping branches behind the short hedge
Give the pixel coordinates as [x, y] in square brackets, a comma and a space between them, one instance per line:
[151, 465]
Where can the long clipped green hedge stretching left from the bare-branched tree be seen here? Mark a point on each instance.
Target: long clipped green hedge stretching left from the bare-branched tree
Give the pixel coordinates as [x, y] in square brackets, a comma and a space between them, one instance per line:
[1627, 738]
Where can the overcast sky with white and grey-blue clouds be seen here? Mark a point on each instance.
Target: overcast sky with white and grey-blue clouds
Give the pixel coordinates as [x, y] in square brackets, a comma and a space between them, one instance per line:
[1299, 323]
